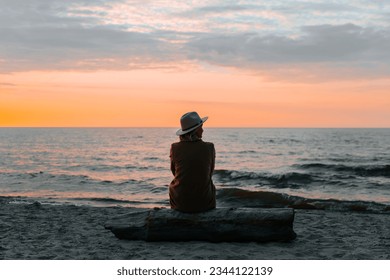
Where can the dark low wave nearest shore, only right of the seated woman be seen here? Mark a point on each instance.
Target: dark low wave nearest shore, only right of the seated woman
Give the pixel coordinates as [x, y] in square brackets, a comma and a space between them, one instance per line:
[236, 197]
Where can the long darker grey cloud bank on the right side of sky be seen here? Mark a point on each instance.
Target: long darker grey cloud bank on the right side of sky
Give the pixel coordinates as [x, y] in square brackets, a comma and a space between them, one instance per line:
[346, 47]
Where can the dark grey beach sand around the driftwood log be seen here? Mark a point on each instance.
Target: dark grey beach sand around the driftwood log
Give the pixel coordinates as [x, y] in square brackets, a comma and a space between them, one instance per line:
[35, 231]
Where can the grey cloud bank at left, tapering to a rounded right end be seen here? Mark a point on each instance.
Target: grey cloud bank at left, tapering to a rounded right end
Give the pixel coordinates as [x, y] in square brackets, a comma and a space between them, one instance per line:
[77, 48]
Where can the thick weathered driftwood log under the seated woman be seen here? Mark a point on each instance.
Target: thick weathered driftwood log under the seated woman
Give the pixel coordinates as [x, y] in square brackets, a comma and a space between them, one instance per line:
[218, 225]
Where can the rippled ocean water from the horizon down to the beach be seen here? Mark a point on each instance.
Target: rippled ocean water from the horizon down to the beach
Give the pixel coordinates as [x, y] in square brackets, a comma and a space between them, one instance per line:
[331, 169]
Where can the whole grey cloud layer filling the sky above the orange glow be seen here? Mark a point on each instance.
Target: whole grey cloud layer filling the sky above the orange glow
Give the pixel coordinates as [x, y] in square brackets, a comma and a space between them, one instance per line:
[123, 35]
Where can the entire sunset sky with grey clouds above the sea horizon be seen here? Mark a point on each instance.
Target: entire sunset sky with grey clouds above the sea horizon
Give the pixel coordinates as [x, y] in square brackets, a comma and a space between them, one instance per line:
[140, 63]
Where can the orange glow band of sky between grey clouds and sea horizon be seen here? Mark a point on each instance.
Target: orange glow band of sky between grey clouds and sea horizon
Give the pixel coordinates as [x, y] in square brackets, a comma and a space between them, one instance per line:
[151, 98]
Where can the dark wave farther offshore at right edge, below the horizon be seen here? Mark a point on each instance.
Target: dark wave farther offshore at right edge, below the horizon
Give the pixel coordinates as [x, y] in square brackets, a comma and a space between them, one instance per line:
[360, 170]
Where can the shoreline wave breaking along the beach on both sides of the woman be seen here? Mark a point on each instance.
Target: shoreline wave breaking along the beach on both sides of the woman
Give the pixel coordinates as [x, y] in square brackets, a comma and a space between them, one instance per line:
[226, 197]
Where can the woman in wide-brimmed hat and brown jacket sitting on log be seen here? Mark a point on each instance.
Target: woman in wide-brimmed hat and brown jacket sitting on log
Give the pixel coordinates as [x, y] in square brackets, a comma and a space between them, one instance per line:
[192, 164]
